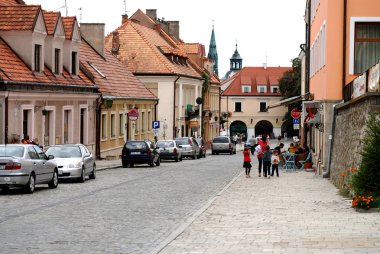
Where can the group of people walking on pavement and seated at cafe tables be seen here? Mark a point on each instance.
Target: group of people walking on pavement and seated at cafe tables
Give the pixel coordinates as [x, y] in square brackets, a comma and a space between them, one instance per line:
[268, 158]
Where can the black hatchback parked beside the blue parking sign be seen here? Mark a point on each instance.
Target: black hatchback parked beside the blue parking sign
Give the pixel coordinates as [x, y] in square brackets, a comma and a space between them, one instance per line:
[140, 152]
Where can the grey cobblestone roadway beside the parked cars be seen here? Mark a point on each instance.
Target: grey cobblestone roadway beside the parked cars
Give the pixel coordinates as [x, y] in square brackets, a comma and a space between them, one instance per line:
[124, 210]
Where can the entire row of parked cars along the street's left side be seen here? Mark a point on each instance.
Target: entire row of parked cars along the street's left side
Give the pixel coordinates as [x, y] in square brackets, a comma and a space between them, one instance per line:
[25, 165]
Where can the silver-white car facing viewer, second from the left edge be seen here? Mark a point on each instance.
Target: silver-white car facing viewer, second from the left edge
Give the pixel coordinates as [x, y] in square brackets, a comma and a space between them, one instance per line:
[74, 161]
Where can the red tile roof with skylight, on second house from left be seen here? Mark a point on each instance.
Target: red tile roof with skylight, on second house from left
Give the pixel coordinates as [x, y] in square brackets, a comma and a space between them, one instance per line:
[114, 79]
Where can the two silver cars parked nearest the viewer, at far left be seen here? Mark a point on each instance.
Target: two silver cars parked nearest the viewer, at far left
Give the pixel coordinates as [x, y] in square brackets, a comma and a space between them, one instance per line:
[25, 165]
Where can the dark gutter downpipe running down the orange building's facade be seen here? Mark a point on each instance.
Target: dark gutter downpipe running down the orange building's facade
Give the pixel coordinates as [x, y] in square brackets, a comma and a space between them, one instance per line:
[327, 173]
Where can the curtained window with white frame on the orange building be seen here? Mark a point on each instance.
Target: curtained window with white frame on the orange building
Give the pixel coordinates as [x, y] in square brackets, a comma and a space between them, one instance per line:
[367, 45]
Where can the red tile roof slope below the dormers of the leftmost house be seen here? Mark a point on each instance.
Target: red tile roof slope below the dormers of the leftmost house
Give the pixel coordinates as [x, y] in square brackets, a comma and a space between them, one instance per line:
[12, 68]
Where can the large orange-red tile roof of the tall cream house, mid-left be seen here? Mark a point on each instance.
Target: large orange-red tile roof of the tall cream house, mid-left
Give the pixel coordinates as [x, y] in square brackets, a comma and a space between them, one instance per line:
[143, 50]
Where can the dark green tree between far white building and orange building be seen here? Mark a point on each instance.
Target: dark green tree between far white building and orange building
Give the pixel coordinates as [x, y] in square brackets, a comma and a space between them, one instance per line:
[290, 86]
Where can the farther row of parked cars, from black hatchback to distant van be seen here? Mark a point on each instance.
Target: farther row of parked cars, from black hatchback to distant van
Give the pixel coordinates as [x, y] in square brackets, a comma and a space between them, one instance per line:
[145, 152]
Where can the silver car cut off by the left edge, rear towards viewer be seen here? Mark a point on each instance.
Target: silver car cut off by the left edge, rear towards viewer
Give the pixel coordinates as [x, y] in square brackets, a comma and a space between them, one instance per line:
[26, 165]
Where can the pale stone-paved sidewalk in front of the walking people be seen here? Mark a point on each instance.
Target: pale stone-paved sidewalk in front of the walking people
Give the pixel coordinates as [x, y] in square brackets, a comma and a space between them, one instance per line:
[295, 213]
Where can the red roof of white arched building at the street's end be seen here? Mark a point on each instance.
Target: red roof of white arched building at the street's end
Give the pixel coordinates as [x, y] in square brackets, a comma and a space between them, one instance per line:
[254, 76]
